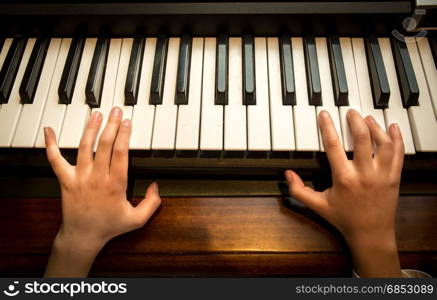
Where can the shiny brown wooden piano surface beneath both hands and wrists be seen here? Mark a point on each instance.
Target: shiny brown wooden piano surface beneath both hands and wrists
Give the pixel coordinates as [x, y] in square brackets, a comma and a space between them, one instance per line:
[246, 236]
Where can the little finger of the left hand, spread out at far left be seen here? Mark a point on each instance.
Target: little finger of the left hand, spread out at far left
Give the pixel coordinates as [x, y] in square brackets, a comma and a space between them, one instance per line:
[59, 165]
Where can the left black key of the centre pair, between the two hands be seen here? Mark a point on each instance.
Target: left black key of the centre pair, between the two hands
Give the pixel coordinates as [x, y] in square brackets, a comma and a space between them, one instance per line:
[221, 78]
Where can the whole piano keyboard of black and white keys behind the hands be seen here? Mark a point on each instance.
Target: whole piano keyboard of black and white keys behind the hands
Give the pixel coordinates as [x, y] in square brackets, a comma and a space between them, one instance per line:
[214, 95]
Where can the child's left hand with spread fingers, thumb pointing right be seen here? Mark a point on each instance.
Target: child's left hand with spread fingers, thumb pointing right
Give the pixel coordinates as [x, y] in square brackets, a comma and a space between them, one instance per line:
[94, 204]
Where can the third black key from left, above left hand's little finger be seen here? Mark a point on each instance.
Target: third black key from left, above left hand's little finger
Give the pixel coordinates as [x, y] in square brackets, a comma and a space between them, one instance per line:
[71, 68]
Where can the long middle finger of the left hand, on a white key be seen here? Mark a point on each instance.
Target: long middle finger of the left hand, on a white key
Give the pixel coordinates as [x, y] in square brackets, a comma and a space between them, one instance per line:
[106, 141]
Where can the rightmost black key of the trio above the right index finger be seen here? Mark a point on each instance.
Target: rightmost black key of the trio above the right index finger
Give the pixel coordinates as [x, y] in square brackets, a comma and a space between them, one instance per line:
[337, 72]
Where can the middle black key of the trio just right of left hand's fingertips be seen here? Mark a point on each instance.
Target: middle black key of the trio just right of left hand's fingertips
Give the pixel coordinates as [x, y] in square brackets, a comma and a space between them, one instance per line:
[157, 85]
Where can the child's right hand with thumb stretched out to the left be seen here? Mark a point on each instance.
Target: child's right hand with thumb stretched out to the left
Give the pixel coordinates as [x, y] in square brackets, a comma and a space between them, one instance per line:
[363, 199]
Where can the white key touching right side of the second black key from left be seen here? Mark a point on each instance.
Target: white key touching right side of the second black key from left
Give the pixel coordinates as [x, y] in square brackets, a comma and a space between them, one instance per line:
[31, 114]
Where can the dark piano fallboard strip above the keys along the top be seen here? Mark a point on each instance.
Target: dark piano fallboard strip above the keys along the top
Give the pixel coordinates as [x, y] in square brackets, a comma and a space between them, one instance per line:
[119, 19]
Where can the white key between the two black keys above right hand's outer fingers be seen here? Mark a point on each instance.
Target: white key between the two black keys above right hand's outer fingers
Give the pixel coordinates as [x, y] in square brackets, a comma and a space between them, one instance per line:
[395, 113]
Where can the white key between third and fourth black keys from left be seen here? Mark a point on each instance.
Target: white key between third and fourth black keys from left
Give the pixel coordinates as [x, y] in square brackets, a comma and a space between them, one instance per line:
[78, 110]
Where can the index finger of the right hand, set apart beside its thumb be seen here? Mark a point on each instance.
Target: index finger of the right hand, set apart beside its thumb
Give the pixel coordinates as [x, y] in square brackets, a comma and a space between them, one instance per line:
[331, 142]
